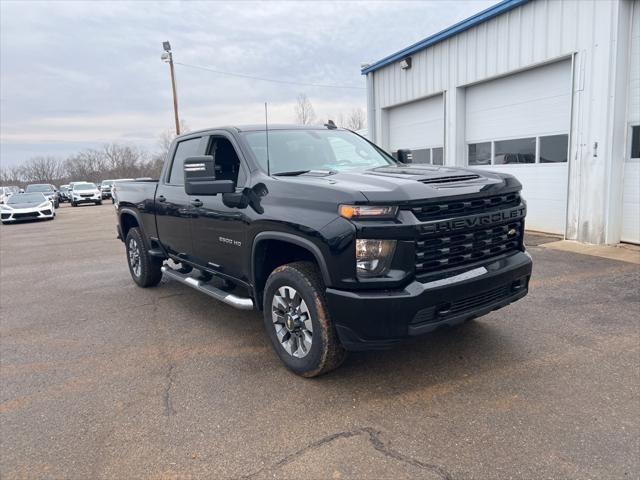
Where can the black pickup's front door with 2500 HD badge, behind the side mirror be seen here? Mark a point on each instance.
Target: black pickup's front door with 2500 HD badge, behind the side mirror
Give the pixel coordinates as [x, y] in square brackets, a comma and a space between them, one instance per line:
[219, 231]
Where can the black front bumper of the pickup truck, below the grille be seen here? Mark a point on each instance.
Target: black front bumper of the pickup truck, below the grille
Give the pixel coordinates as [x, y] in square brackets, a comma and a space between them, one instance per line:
[381, 319]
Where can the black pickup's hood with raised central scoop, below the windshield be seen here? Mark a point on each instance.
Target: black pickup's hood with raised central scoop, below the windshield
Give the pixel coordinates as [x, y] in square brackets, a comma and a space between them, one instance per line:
[405, 183]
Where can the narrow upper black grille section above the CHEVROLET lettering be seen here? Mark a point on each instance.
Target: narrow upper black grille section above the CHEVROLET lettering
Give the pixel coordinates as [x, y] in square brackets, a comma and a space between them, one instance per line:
[434, 211]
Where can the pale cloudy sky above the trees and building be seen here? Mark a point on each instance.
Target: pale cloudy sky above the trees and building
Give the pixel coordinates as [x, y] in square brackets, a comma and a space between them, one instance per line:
[76, 75]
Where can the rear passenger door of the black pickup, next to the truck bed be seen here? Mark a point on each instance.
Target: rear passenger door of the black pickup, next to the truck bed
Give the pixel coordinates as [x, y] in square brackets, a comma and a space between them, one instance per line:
[174, 210]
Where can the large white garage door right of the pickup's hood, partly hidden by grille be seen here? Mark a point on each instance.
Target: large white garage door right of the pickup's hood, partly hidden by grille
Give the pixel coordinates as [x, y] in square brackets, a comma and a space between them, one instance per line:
[520, 125]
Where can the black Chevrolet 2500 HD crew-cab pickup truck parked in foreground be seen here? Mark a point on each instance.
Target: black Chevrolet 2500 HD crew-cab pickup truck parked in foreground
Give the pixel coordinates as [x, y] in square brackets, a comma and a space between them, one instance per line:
[340, 245]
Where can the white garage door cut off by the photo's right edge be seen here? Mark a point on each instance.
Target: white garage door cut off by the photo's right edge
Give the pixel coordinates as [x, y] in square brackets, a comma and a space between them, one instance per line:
[631, 193]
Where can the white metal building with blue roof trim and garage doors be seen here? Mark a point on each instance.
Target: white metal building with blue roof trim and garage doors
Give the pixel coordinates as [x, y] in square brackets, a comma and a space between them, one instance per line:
[548, 90]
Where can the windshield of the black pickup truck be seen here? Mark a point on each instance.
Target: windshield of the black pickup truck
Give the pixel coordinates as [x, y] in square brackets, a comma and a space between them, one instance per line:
[334, 150]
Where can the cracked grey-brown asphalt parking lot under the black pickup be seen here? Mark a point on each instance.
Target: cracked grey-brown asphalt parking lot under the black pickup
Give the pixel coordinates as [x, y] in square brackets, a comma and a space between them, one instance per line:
[102, 379]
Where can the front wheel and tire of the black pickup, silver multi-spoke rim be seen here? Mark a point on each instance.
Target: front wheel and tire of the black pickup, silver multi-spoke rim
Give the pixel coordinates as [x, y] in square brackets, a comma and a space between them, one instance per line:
[300, 284]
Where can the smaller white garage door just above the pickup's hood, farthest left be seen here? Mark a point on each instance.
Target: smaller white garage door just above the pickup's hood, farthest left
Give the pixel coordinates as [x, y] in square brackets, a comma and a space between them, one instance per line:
[418, 126]
